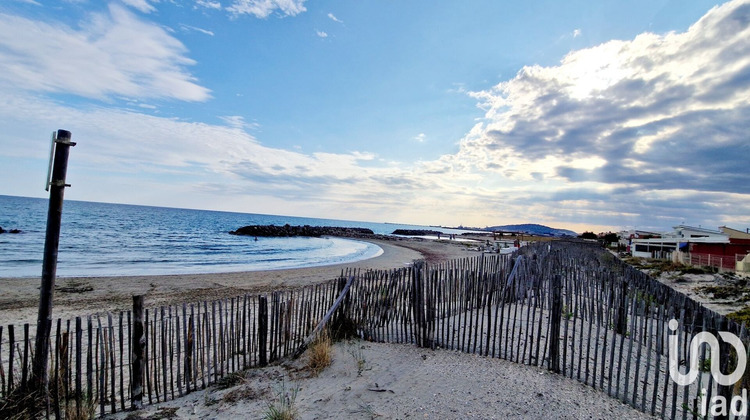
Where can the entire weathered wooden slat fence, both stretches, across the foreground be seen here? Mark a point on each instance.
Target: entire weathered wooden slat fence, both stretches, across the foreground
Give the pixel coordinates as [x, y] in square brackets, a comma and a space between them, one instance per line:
[569, 307]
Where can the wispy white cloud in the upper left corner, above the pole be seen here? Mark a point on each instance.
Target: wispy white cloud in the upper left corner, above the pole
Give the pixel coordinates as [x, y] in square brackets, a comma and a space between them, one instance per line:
[113, 53]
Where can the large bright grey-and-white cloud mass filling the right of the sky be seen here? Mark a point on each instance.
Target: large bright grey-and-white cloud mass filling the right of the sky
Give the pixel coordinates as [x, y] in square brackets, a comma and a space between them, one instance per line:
[619, 122]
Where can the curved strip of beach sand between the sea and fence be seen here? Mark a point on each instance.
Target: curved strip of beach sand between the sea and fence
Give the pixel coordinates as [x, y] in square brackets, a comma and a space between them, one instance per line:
[74, 296]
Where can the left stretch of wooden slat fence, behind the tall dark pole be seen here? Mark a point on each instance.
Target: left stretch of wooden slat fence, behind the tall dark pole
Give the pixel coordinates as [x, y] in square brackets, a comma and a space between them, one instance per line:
[188, 347]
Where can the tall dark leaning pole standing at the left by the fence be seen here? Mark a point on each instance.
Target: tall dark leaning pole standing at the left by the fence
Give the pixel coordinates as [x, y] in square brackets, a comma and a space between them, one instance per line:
[49, 265]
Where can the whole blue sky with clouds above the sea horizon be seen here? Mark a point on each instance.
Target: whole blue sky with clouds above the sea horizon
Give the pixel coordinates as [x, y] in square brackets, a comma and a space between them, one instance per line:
[584, 115]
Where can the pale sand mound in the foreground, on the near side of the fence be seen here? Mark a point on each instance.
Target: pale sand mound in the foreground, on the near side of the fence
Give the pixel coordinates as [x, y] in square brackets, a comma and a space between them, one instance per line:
[389, 381]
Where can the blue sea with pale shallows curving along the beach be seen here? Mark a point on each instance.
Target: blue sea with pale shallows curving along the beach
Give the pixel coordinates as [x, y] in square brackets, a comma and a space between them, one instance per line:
[105, 239]
